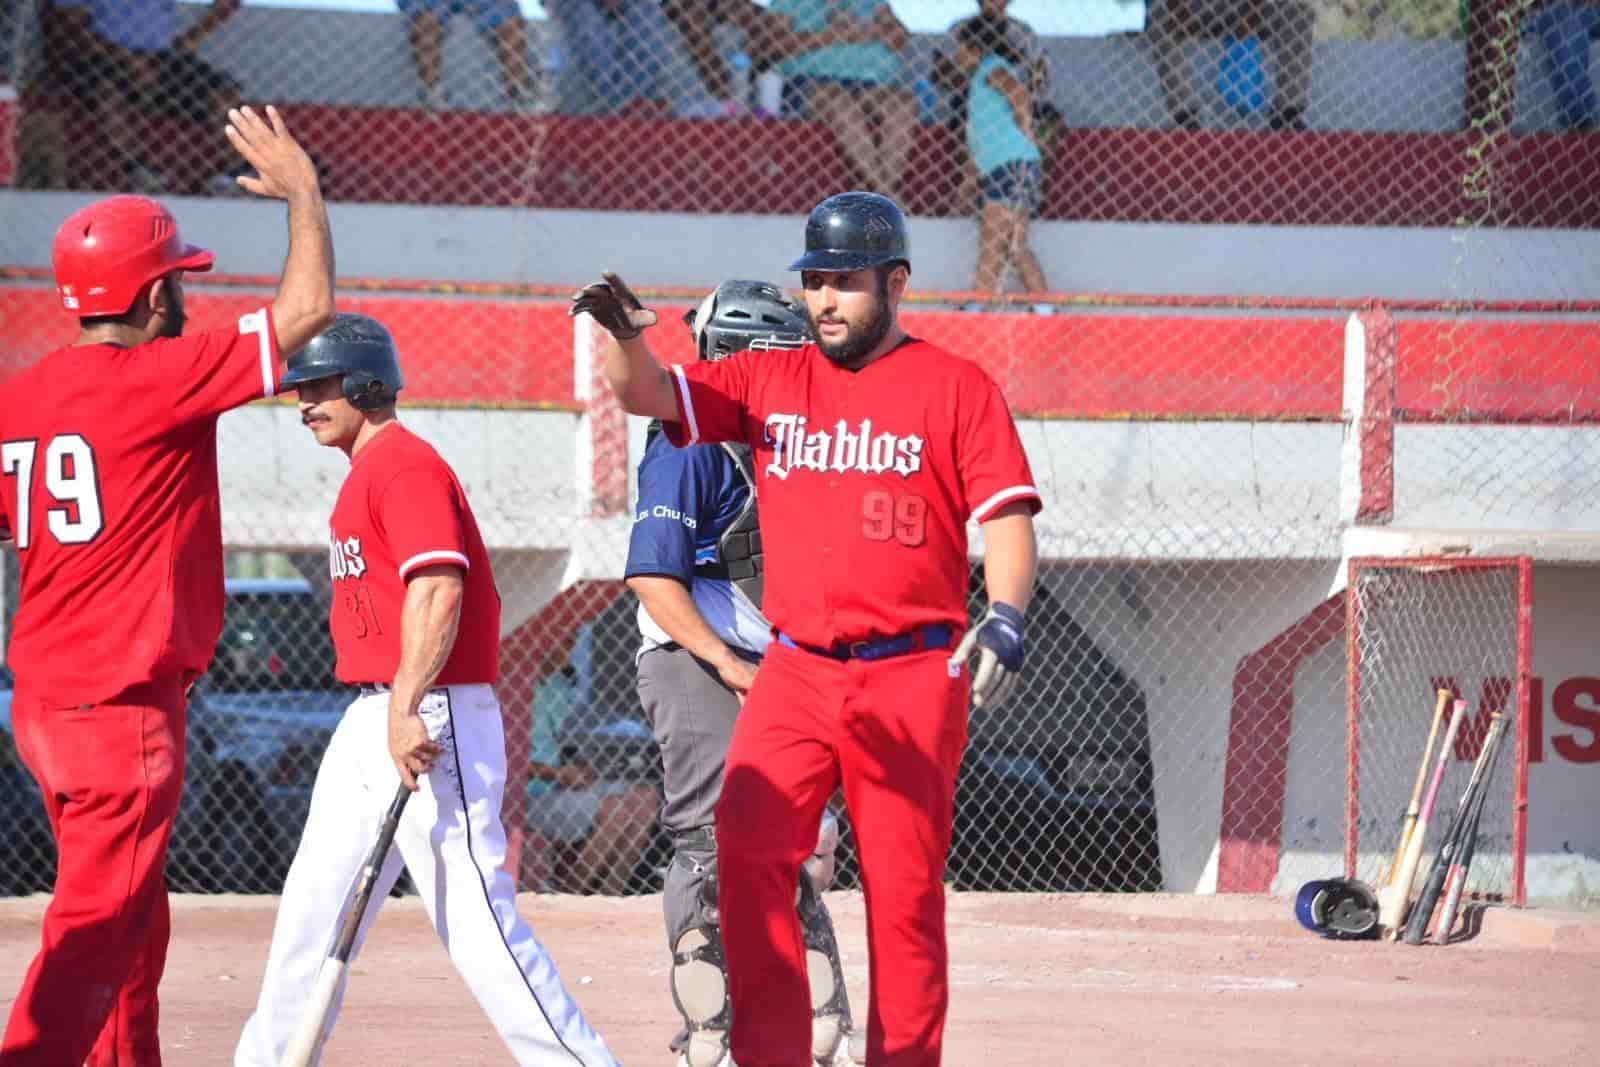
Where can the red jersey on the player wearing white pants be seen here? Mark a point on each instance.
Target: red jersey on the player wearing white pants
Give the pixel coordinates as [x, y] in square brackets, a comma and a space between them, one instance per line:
[401, 510]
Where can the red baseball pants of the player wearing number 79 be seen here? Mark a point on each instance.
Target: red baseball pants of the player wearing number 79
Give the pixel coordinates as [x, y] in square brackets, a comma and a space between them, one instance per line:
[111, 777]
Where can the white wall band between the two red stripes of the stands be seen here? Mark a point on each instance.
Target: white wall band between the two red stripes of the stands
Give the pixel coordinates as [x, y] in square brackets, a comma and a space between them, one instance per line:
[543, 247]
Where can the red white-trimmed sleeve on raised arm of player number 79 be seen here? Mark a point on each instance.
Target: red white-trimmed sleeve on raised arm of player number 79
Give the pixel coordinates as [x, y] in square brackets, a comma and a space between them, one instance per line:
[210, 374]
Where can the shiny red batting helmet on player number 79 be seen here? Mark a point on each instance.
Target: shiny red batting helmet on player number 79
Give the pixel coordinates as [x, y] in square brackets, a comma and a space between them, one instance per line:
[113, 249]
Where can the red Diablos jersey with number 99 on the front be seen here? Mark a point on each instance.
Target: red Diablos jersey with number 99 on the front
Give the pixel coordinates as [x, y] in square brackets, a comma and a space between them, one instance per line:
[866, 479]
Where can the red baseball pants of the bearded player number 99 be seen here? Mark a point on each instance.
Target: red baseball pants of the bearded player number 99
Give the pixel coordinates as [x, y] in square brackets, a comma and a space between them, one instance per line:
[892, 732]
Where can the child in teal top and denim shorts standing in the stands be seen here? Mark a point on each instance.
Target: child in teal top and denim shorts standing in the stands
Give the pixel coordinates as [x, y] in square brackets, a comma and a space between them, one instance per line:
[1001, 142]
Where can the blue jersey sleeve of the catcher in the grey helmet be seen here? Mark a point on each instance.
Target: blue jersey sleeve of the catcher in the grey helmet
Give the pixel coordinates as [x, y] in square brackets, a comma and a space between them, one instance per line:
[673, 486]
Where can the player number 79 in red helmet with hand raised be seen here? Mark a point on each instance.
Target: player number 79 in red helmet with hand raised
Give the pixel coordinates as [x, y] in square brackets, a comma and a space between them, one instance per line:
[108, 487]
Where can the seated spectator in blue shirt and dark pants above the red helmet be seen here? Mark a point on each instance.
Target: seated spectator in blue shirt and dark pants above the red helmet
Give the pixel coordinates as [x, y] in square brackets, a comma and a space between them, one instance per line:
[124, 60]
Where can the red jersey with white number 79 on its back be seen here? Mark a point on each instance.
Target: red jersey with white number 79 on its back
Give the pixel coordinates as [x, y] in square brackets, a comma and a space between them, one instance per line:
[108, 486]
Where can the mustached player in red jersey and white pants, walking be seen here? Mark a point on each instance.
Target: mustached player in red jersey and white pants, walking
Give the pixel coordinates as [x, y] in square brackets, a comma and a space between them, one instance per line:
[415, 623]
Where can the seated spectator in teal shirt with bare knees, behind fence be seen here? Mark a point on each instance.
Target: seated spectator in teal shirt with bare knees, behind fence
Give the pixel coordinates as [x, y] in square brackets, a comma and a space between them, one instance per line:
[847, 70]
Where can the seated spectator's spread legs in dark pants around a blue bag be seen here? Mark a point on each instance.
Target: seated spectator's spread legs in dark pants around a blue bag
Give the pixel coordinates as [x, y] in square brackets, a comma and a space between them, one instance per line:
[1282, 25]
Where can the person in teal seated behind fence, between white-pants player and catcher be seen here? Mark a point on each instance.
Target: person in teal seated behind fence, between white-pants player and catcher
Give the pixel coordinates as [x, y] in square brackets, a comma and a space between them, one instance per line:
[606, 821]
